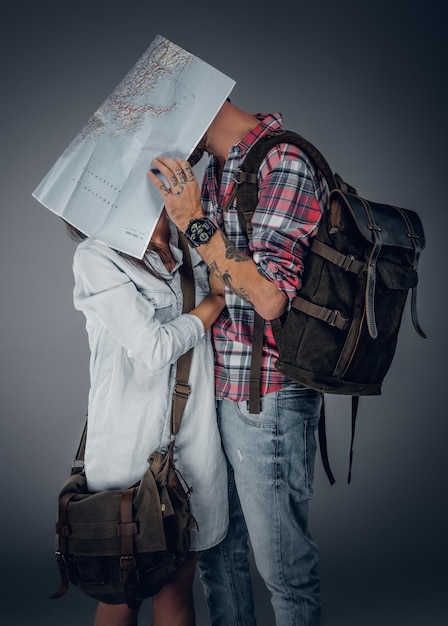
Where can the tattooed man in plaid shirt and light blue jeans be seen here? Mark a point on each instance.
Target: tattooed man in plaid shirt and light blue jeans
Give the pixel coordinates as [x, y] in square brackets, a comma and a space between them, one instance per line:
[271, 454]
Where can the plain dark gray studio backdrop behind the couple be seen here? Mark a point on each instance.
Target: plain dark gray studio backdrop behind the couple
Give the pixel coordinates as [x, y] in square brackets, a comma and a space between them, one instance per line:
[364, 81]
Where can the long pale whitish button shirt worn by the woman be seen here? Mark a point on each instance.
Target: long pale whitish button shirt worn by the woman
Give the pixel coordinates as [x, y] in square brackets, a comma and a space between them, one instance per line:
[136, 332]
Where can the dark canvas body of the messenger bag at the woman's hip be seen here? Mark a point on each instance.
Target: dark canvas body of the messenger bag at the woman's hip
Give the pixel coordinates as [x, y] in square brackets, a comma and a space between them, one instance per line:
[90, 530]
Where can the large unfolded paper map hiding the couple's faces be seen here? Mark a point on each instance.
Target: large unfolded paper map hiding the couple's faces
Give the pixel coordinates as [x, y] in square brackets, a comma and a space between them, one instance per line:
[164, 105]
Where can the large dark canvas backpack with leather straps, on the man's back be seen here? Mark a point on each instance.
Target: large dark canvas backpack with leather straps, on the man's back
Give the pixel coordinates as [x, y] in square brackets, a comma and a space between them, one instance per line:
[340, 334]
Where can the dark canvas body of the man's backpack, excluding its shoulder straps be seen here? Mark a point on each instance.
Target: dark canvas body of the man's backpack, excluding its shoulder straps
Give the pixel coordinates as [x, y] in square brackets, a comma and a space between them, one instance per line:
[349, 360]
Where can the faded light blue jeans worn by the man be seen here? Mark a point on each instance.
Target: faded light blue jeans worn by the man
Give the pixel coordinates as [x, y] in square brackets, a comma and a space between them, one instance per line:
[271, 469]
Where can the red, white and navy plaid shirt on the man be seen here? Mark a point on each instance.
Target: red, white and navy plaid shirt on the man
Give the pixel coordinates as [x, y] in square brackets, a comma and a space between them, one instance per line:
[292, 194]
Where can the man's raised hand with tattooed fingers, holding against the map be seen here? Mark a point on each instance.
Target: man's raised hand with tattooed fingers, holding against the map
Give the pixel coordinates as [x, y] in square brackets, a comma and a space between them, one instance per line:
[181, 193]
